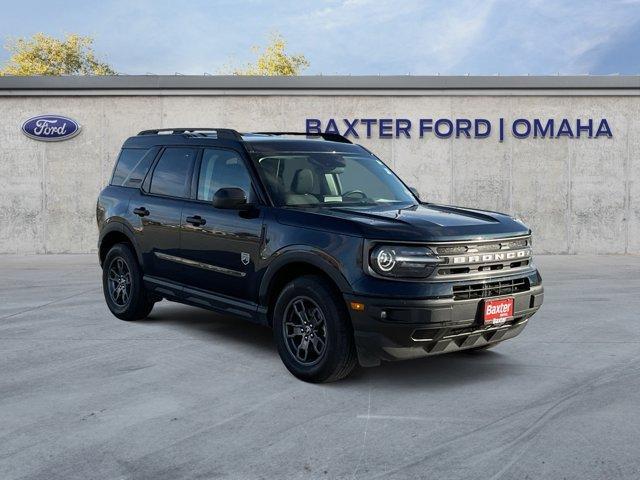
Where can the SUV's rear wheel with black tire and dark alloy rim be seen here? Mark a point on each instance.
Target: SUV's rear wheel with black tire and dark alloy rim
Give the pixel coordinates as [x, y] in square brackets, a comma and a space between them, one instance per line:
[122, 284]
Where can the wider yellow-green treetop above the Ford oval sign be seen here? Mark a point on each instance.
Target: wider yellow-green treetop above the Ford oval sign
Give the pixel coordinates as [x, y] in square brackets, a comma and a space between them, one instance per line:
[45, 55]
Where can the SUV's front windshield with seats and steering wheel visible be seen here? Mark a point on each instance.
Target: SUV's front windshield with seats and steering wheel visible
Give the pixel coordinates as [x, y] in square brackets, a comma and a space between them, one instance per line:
[331, 179]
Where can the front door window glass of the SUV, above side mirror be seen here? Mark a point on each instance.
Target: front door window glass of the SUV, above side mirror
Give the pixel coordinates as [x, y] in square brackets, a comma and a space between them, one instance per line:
[221, 169]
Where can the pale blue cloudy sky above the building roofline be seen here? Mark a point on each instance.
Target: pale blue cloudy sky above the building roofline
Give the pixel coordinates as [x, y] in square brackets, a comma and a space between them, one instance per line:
[348, 36]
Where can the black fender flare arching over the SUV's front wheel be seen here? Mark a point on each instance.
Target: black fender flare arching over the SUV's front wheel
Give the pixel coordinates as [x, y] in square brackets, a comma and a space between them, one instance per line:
[304, 254]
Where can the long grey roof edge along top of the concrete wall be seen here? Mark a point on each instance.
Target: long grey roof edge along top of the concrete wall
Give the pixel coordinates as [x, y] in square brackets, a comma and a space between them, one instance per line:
[251, 85]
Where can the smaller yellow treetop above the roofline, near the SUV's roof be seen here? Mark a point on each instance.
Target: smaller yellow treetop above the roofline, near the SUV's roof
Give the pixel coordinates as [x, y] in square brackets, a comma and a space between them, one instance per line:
[273, 60]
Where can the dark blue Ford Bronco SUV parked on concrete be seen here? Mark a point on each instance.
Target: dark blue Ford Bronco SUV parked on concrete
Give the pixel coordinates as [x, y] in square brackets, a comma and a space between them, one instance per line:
[315, 237]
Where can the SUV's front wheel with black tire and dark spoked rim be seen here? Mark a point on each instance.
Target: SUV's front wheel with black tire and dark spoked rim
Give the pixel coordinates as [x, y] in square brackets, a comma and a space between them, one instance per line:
[327, 320]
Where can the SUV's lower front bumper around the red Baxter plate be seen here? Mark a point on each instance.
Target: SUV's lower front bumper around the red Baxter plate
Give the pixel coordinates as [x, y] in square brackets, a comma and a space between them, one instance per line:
[398, 329]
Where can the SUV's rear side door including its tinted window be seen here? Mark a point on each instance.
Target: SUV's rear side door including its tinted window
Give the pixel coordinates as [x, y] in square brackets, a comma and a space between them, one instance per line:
[158, 206]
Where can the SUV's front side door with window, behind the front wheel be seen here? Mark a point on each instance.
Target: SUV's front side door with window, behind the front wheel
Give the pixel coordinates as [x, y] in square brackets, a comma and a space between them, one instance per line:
[222, 246]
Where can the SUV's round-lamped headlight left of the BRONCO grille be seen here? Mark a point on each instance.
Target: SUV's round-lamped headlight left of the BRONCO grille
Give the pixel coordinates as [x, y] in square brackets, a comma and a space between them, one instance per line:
[403, 261]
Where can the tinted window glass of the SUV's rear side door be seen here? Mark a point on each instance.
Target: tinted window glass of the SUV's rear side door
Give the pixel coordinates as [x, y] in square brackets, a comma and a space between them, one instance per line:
[172, 173]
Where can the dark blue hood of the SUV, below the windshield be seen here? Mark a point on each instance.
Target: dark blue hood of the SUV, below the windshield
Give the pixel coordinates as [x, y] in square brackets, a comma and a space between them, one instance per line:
[425, 222]
